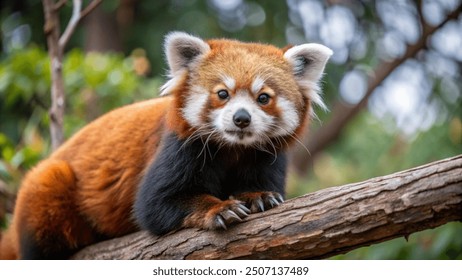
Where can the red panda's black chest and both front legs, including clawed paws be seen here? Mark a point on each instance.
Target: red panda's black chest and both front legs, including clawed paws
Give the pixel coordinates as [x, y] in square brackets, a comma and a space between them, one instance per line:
[179, 189]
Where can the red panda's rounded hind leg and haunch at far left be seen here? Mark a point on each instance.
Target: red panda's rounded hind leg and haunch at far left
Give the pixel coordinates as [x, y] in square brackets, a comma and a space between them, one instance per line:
[46, 223]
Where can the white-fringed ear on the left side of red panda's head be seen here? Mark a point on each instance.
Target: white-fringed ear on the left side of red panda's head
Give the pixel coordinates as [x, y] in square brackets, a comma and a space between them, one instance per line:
[182, 49]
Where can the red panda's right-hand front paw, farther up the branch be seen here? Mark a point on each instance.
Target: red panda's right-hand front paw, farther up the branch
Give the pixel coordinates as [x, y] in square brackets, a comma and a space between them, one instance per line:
[260, 201]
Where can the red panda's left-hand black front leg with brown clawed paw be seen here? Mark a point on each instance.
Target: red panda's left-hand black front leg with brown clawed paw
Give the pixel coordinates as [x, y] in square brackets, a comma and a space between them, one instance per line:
[174, 192]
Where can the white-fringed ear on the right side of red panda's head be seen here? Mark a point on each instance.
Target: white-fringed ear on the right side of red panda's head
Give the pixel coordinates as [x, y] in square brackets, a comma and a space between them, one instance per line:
[308, 61]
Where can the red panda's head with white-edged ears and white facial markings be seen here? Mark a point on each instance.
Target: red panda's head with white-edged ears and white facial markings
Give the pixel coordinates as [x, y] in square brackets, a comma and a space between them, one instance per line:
[237, 93]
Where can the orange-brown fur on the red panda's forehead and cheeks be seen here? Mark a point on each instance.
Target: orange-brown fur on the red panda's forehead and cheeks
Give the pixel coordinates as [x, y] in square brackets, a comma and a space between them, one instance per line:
[250, 55]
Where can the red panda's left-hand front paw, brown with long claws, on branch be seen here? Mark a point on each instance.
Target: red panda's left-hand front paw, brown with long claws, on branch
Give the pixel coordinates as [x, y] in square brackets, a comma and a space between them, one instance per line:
[218, 216]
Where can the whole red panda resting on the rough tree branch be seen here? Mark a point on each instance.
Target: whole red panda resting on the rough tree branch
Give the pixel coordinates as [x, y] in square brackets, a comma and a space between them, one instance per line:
[206, 154]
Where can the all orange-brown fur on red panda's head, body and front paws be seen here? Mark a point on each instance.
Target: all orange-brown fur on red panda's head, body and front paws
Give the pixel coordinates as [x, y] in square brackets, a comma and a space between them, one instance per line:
[86, 189]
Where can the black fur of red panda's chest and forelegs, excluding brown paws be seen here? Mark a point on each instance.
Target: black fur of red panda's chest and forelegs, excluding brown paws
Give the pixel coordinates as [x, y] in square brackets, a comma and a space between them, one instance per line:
[183, 171]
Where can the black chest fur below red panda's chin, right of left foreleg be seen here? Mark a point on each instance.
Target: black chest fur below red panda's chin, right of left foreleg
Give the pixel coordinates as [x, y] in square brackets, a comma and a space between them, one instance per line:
[224, 171]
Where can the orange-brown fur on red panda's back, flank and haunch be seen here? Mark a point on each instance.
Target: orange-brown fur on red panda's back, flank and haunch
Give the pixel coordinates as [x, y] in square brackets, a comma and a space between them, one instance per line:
[92, 205]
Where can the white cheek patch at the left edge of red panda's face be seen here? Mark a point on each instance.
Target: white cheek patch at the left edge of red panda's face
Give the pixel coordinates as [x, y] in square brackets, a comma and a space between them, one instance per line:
[194, 106]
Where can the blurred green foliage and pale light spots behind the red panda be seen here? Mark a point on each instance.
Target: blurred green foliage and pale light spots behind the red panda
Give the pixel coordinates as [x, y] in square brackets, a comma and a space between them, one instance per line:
[115, 58]
